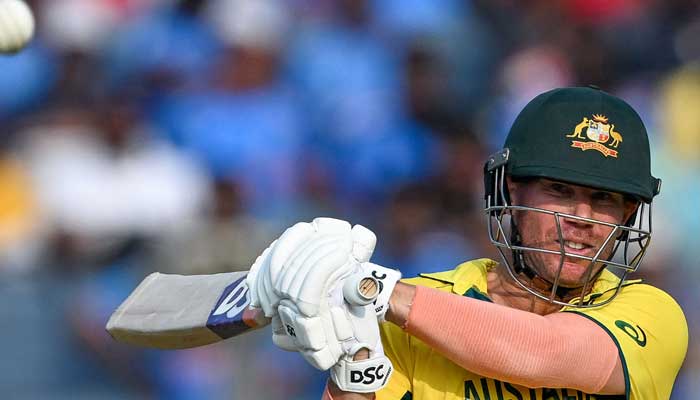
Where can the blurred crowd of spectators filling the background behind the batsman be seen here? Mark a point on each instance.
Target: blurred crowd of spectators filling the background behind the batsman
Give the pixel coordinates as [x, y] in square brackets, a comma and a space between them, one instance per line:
[183, 136]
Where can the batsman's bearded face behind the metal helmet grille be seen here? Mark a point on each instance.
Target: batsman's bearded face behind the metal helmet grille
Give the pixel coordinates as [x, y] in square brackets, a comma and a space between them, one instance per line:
[539, 230]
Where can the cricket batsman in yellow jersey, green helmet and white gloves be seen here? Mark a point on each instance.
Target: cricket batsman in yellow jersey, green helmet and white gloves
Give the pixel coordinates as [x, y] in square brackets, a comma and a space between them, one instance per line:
[568, 201]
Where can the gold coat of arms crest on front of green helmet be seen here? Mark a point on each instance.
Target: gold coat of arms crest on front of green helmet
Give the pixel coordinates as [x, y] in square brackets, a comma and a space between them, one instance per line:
[595, 133]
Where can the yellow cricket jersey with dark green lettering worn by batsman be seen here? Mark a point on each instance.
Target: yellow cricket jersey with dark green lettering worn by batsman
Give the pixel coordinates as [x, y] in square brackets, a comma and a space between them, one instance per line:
[645, 323]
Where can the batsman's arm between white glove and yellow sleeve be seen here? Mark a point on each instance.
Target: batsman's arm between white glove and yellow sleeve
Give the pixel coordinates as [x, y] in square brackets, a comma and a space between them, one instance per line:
[506, 343]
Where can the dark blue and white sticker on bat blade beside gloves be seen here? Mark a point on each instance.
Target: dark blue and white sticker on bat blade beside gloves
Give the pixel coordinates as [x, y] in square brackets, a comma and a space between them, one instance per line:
[231, 316]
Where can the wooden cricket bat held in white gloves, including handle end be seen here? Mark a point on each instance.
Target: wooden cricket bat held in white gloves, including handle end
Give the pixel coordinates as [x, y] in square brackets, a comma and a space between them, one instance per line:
[168, 311]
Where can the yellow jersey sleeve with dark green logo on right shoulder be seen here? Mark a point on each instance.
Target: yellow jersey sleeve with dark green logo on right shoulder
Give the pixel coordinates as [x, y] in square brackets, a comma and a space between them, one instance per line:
[651, 333]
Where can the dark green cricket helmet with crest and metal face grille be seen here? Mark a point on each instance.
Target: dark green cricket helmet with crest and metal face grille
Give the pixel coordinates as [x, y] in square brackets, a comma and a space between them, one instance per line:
[582, 136]
